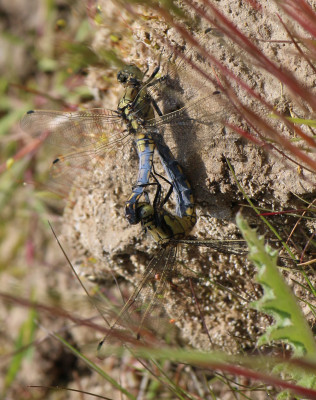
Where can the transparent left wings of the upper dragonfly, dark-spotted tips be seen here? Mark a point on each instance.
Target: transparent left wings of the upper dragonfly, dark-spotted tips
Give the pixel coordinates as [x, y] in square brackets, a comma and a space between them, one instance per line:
[82, 140]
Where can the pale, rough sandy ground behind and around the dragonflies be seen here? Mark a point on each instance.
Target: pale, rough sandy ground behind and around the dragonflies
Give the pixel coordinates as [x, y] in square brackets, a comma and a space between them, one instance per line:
[96, 225]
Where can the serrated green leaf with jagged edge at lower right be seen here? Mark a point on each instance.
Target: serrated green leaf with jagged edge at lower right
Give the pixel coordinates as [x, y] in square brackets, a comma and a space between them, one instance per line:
[278, 300]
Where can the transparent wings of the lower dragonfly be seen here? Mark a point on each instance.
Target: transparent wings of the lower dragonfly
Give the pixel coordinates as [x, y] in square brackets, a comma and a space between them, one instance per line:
[145, 307]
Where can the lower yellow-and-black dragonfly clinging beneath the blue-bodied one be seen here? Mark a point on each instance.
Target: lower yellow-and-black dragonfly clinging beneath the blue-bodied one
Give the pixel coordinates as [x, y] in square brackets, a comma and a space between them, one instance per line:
[156, 287]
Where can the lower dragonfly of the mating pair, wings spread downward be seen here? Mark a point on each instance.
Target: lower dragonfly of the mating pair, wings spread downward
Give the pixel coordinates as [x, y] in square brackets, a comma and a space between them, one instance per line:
[169, 231]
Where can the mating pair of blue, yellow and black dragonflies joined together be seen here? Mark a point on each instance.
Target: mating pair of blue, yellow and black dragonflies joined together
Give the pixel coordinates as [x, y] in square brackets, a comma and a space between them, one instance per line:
[91, 134]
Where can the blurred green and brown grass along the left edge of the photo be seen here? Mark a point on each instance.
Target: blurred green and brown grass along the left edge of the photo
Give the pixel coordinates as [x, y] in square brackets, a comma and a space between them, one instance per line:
[42, 64]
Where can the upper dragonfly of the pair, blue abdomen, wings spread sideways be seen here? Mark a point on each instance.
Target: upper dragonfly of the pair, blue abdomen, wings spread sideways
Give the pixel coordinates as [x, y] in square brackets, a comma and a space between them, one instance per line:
[87, 136]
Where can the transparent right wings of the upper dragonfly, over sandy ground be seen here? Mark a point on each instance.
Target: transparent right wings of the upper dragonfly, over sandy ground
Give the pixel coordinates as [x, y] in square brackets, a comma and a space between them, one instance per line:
[190, 104]
